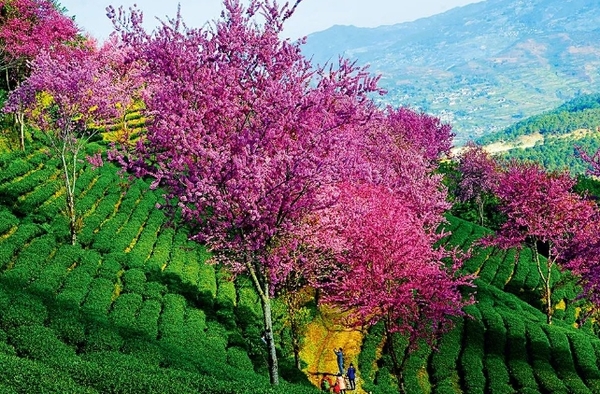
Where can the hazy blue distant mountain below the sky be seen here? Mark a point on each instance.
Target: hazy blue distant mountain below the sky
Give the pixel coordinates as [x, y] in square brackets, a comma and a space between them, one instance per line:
[482, 66]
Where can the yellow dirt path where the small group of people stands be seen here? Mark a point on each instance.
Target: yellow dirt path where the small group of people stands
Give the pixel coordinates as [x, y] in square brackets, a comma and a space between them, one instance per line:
[323, 335]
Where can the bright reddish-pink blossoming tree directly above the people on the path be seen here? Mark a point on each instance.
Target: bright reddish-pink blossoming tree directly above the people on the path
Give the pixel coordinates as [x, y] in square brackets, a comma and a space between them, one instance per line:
[390, 270]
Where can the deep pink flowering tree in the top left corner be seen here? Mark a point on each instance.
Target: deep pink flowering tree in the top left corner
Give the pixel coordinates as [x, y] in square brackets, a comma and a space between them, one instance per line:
[27, 28]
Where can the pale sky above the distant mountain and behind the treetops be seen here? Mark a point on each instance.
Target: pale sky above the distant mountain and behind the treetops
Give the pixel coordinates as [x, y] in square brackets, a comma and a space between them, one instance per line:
[310, 16]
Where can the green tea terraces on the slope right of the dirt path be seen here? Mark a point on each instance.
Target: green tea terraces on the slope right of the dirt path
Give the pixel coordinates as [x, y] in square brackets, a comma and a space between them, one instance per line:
[505, 346]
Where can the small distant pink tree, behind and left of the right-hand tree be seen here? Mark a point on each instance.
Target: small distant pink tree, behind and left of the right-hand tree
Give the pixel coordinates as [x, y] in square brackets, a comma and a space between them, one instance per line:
[478, 177]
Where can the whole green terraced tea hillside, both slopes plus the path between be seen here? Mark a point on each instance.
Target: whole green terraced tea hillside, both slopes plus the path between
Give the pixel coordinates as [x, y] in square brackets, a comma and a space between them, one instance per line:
[134, 308]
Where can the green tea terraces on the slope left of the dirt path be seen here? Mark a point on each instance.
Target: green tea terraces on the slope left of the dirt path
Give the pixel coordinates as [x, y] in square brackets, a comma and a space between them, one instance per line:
[134, 308]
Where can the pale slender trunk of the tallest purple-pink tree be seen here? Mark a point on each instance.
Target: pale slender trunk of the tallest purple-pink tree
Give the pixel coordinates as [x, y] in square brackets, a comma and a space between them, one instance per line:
[262, 287]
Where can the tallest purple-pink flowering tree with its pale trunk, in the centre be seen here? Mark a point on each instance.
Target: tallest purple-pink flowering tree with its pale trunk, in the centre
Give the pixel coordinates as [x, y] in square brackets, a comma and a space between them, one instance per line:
[247, 138]
